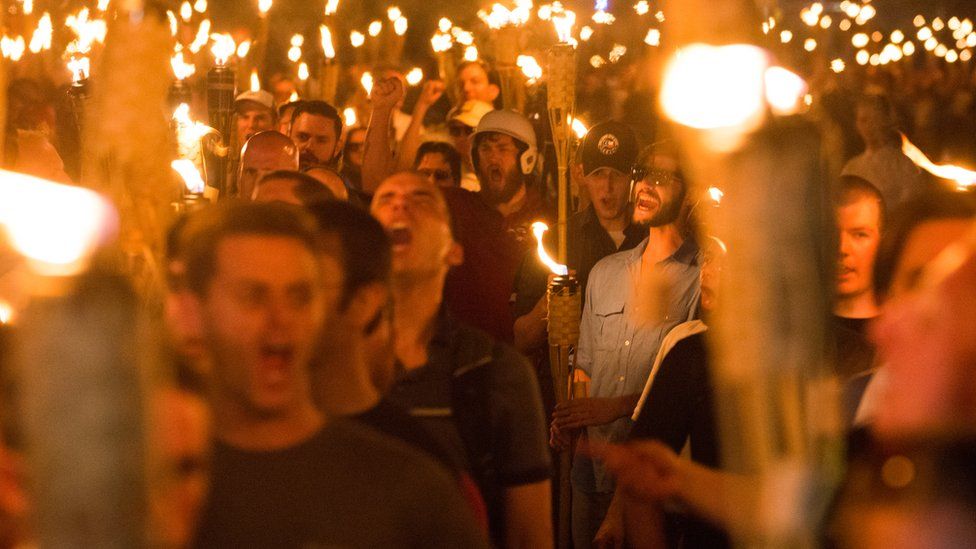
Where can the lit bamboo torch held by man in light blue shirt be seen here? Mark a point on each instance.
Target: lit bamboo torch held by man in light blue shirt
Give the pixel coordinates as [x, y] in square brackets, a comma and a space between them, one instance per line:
[563, 298]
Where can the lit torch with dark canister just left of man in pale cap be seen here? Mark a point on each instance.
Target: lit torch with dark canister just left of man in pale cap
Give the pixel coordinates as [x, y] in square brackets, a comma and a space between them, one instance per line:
[221, 90]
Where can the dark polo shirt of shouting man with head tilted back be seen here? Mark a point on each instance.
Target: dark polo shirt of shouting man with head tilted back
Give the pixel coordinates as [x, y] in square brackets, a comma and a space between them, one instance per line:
[480, 397]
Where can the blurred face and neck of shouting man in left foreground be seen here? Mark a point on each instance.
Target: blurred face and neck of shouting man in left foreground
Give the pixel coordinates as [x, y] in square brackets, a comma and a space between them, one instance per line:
[260, 316]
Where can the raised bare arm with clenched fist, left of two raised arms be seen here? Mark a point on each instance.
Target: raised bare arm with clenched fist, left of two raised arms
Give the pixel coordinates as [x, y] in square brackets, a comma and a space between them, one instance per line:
[378, 162]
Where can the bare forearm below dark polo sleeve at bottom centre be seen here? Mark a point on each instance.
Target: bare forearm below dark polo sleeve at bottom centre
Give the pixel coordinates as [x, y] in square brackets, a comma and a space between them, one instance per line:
[528, 515]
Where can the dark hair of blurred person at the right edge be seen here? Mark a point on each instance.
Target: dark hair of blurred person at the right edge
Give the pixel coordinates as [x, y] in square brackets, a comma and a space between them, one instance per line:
[933, 206]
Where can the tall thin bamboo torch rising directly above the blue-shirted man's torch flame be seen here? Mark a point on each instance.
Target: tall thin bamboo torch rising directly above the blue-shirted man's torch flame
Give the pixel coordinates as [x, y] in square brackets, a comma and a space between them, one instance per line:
[562, 96]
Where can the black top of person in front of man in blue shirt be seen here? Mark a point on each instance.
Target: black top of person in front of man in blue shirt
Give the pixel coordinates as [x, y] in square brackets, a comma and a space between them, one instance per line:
[680, 408]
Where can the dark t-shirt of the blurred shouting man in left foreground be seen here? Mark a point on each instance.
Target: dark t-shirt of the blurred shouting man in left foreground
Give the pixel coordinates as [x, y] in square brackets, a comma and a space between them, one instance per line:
[347, 486]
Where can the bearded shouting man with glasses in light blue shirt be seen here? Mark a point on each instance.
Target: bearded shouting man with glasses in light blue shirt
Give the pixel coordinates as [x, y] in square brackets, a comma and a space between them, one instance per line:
[633, 299]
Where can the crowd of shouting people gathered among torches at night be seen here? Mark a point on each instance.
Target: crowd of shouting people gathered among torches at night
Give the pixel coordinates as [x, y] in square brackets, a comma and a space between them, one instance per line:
[360, 326]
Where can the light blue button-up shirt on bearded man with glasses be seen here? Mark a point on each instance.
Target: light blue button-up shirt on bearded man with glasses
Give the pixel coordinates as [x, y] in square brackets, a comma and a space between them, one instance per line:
[620, 333]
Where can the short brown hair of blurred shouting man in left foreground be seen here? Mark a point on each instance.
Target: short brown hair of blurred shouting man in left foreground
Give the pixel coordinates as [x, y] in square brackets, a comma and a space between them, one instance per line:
[206, 229]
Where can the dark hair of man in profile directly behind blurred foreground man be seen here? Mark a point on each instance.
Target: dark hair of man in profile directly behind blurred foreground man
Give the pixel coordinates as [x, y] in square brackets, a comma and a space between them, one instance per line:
[364, 249]
